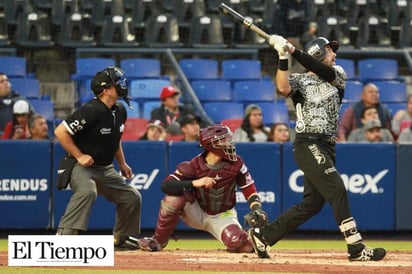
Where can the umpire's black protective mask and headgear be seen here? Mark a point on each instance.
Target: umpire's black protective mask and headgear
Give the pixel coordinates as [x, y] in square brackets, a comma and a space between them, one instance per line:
[111, 76]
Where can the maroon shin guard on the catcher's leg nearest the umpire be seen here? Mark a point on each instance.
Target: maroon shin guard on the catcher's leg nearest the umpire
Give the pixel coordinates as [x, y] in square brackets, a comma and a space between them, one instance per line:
[169, 214]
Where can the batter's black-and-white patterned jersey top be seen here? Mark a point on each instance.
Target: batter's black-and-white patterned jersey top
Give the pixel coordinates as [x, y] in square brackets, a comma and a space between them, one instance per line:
[317, 101]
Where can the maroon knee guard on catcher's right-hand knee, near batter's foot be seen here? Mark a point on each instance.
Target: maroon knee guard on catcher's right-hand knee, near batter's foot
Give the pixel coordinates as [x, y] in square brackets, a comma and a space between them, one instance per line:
[236, 239]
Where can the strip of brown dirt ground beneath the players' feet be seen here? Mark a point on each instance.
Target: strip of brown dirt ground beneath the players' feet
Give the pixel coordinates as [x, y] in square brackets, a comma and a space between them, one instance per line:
[303, 261]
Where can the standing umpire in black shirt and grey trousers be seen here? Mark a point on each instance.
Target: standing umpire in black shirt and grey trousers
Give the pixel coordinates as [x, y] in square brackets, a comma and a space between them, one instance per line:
[92, 136]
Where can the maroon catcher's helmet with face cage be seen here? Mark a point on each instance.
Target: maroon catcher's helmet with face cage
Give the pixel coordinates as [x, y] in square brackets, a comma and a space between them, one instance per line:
[218, 139]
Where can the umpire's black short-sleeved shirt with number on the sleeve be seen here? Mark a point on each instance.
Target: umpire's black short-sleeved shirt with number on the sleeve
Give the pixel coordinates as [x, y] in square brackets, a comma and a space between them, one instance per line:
[96, 129]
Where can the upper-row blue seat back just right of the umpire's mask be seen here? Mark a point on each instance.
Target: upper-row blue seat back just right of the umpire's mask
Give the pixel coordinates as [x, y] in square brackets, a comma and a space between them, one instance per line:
[141, 68]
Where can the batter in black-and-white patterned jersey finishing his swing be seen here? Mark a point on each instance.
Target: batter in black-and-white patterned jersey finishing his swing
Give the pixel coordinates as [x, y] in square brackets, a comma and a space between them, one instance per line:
[317, 96]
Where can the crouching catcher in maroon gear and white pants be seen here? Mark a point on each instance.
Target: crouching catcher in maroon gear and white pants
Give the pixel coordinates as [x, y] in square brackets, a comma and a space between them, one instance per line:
[202, 193]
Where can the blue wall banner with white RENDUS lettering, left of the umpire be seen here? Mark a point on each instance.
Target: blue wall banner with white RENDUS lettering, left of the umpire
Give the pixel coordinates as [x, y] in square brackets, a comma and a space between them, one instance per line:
[25, 180]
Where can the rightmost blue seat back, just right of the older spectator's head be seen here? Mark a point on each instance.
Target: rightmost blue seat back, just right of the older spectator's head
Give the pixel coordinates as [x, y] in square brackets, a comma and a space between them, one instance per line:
[392, 91]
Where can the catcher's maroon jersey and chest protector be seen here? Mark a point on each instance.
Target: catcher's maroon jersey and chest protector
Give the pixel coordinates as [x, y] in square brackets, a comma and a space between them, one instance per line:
[228, 176]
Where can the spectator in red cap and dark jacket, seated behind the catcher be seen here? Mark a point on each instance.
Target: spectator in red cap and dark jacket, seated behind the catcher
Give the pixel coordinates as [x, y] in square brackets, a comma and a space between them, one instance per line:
[170, 110]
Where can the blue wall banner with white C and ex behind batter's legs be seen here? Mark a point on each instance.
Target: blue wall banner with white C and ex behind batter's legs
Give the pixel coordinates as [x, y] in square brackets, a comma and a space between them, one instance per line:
[368, 171]
